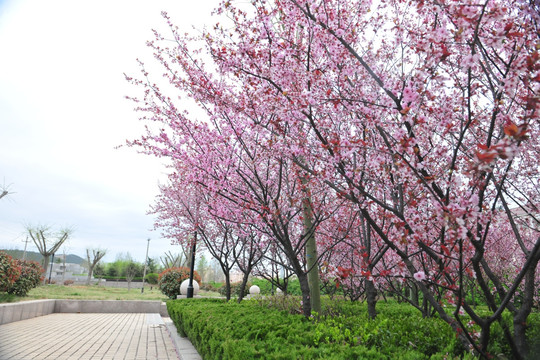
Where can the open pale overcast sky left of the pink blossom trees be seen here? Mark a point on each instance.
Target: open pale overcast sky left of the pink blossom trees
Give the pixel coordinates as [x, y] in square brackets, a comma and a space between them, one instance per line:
[63, 112]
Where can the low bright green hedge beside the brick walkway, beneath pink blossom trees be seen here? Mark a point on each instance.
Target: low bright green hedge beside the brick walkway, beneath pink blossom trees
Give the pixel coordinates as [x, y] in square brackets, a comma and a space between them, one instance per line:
[227, 330]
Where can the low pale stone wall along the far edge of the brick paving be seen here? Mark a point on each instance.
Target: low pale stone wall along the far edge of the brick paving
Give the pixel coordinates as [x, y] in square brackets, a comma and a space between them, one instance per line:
[10, 312]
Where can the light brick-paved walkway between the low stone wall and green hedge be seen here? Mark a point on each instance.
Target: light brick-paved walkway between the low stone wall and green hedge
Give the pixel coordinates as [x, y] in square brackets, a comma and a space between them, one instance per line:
[94, 336]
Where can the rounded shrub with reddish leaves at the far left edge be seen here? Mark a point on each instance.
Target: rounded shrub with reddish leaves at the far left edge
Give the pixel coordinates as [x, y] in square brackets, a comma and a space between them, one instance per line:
[18, 277]
